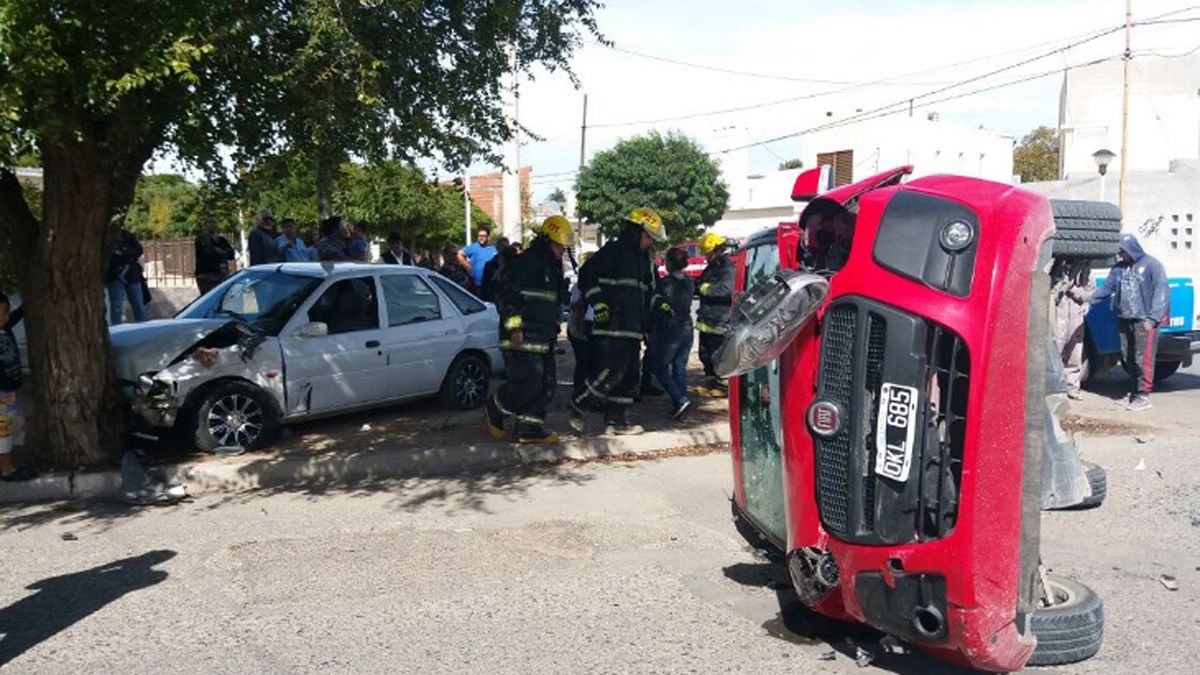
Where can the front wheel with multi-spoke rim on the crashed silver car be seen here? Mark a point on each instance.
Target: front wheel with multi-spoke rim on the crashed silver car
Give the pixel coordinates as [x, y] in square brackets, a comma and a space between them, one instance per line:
[235, 402]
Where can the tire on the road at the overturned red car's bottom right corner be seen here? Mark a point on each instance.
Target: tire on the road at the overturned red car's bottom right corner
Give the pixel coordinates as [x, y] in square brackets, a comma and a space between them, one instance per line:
[1072, 631]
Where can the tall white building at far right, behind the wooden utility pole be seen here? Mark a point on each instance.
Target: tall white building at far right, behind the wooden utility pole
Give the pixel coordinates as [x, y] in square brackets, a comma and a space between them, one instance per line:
[1165, 115]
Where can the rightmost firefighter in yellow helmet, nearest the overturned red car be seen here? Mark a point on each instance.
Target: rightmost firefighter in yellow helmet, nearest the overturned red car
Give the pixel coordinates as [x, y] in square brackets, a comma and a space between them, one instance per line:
[713, 316]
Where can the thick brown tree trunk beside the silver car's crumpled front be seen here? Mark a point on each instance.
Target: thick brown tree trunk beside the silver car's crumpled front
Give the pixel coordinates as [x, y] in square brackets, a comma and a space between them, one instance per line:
[75, 417]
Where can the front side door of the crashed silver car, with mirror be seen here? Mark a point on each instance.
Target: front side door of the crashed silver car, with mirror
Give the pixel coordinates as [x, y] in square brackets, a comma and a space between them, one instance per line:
[347, 367]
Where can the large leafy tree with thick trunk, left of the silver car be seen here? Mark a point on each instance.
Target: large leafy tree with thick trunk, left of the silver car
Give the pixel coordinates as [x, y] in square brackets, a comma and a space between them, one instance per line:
[97, 88]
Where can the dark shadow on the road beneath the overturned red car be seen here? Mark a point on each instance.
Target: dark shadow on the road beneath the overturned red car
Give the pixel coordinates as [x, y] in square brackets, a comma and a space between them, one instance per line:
[799, 625]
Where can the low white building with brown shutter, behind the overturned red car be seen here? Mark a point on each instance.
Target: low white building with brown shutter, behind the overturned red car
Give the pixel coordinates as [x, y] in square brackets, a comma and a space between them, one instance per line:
[857, 152]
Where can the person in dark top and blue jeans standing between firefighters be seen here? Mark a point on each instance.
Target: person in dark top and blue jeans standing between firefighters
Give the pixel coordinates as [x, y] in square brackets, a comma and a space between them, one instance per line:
[671, 331]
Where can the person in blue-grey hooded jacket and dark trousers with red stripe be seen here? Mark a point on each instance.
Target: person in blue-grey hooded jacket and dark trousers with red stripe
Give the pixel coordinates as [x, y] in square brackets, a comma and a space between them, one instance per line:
[1137, 288]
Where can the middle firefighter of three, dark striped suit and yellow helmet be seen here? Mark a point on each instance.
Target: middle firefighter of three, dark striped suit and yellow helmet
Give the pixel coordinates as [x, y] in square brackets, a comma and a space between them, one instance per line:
[617, 283]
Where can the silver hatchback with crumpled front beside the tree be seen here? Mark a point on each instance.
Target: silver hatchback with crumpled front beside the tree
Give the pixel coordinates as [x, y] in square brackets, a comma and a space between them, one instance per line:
[283, 343]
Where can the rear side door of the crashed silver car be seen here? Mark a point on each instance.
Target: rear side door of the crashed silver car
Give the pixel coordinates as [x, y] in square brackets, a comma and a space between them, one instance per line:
[423, 336]
